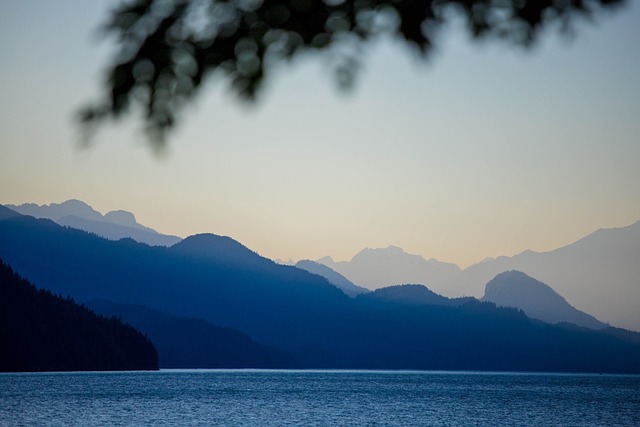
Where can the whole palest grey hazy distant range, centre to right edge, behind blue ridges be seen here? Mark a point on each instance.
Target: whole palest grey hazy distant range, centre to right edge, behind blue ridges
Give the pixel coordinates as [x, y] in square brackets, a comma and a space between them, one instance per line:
[599, 274]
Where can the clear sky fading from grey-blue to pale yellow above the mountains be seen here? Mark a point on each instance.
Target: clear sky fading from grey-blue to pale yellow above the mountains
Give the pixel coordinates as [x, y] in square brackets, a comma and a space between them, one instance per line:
[481, 151]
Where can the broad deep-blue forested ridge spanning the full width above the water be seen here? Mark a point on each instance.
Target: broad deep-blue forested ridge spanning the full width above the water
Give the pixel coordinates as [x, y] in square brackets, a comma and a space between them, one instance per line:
[220, 281]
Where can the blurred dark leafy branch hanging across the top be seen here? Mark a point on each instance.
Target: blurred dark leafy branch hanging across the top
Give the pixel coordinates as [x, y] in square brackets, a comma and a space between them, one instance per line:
[167, 48]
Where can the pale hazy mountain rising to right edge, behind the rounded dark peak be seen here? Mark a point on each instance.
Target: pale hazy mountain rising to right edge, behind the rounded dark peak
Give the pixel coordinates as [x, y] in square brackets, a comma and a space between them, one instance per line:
[598, 274]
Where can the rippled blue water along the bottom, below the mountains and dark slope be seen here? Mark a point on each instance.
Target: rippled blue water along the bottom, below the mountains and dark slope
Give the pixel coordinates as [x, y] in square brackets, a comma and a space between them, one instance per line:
[219, 397]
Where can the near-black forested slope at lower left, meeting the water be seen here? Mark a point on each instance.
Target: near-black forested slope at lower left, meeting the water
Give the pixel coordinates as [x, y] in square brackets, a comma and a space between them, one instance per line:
[40, 331]
